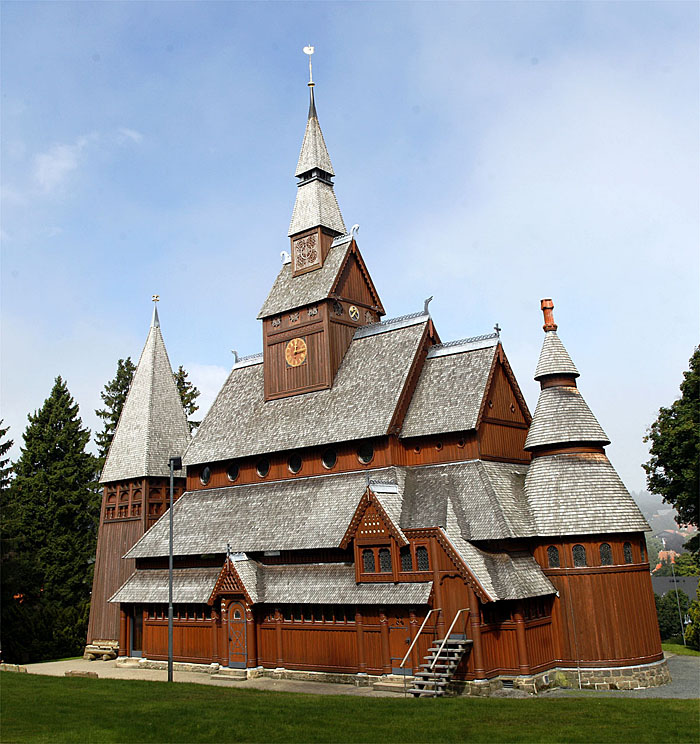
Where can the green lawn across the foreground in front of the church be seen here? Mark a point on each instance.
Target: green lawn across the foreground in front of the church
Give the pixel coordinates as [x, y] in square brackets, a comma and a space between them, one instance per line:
[54, 709]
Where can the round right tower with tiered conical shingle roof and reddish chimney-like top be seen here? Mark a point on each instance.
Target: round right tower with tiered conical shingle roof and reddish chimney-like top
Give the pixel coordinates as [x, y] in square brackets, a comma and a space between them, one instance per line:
[590, 533]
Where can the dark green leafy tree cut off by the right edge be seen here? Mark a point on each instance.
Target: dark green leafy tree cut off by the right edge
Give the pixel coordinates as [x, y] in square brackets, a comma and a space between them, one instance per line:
[673, 470]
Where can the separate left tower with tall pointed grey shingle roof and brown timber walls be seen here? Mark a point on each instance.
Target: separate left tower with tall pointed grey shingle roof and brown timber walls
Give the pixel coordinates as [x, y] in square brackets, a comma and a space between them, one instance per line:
[152, 428]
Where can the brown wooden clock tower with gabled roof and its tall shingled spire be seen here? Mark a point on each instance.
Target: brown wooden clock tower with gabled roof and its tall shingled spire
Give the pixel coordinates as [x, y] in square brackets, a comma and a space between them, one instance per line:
[323, 292]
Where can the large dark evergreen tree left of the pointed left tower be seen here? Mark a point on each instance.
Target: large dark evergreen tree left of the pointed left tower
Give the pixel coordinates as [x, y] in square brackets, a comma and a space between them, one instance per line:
[49, 527]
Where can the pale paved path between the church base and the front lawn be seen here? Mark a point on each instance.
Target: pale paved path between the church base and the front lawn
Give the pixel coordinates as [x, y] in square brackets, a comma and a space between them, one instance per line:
[685, 671]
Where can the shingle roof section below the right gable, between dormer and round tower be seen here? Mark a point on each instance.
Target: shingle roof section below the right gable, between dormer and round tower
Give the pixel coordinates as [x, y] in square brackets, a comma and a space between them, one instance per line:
[485, 498]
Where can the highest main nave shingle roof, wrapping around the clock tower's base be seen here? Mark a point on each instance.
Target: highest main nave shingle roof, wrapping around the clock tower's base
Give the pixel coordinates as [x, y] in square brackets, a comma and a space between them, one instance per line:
[360, 404]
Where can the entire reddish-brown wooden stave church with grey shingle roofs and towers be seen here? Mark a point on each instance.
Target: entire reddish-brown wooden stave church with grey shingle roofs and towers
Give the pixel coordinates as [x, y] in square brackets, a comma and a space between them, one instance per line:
[363, 498]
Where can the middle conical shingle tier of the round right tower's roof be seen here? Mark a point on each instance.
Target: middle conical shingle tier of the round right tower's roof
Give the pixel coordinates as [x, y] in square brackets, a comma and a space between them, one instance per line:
[562, 416]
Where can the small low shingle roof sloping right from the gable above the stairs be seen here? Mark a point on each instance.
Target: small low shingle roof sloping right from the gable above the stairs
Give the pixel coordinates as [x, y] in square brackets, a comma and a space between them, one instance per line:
[503, 575]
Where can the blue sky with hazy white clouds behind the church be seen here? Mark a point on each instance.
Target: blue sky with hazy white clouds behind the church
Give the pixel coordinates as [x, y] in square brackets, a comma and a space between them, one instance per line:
[492, 153]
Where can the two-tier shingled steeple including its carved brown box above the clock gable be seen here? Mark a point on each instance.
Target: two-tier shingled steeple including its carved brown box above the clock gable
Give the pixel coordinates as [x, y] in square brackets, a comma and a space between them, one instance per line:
[316, 208]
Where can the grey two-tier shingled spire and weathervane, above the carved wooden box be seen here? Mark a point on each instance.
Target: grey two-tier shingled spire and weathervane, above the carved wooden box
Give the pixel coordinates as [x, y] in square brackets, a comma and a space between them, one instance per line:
[315, 205]
